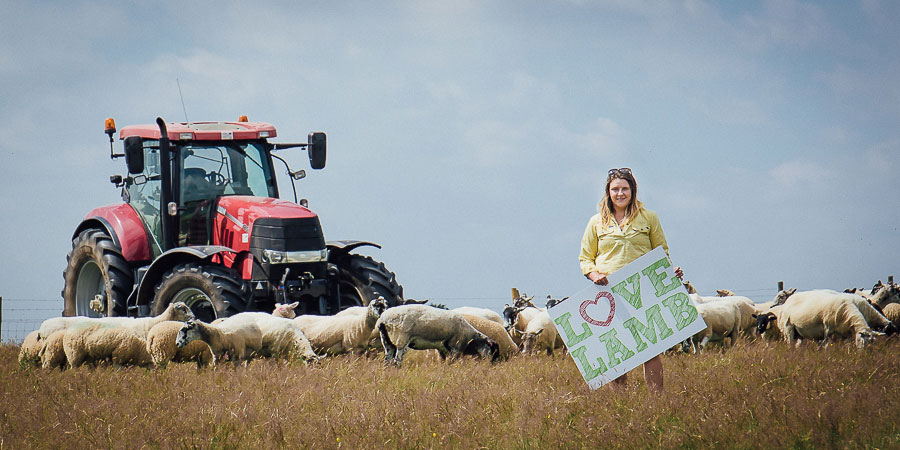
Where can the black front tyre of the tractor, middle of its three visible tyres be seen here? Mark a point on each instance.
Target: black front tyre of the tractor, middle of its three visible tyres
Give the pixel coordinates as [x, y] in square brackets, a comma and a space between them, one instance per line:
[210, 290]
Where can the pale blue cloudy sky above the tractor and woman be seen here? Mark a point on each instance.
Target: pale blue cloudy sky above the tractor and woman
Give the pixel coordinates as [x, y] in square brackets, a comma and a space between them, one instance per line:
[471, 139]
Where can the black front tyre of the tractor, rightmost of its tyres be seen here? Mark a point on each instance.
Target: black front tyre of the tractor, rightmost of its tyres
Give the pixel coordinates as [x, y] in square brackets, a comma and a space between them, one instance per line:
[362, 279]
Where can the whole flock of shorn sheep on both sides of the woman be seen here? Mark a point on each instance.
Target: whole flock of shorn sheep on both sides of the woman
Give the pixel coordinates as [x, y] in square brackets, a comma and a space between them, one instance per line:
[175, 335]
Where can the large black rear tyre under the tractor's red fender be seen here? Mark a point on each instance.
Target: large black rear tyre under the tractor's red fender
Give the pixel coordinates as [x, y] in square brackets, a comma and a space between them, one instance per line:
[96, 272]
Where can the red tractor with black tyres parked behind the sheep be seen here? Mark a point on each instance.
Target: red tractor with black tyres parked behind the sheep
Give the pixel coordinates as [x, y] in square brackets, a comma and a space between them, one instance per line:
[202, 223]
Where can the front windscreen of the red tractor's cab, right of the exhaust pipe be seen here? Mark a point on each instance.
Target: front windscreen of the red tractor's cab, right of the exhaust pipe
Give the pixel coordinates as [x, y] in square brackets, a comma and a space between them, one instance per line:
[209, 171]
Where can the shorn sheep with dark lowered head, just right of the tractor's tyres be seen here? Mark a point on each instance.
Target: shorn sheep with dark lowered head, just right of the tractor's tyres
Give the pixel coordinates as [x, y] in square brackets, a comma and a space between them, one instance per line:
[421, 327]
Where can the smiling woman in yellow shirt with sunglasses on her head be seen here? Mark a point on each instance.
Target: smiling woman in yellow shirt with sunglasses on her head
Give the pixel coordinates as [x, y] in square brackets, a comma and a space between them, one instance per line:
[621, 232]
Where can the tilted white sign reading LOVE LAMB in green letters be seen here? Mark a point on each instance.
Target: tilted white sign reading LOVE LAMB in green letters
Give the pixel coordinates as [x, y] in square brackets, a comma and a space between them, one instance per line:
[642, 312]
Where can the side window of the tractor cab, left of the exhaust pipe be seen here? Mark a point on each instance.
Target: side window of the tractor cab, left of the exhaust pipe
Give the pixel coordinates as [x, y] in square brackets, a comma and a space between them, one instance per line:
[144, 194]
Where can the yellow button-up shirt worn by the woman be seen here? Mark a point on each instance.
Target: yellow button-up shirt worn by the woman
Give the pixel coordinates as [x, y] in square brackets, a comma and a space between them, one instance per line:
[606, 249]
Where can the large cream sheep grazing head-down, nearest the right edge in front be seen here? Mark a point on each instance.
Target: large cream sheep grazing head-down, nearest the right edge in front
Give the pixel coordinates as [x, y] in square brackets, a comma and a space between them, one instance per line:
[823, 314]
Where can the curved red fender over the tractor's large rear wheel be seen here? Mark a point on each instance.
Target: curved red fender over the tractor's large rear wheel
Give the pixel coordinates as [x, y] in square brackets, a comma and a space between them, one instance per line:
[124, 226]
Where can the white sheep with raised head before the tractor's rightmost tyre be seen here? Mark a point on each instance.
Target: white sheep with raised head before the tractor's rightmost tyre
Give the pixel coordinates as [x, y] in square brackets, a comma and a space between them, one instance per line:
[342, 333]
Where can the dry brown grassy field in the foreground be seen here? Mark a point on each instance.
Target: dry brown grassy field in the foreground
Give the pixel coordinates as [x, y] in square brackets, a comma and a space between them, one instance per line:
[756, 395]
